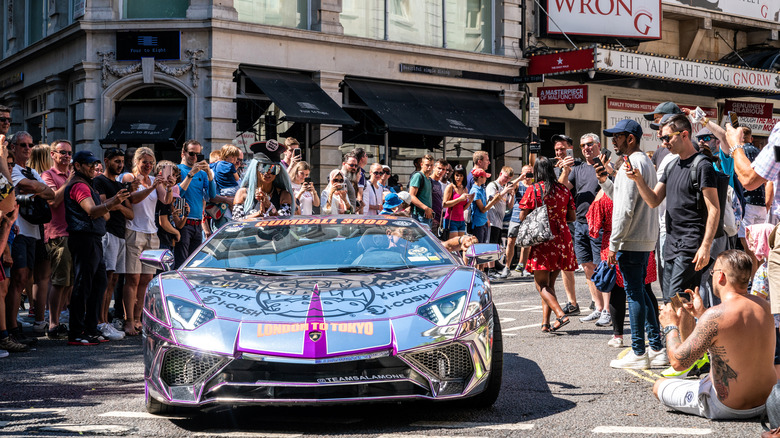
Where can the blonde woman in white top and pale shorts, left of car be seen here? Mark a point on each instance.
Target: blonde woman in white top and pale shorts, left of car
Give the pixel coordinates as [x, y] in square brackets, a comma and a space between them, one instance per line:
[141, 233]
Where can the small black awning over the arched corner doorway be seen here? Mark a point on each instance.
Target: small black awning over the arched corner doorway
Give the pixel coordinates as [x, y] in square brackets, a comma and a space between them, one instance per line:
[144, 123]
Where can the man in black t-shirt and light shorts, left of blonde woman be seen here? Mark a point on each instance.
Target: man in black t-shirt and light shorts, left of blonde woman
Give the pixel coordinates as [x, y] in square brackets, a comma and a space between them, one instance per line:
[113, 241]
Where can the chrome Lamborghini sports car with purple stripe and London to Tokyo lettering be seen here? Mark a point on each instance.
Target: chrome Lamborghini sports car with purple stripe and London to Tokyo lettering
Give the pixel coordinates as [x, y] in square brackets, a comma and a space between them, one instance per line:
[320, 310]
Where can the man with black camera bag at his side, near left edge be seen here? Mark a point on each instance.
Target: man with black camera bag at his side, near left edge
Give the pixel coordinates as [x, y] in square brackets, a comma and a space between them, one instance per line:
[28, 185]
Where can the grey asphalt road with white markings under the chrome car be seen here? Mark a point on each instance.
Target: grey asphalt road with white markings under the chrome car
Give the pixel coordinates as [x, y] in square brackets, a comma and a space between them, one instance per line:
[554, 385]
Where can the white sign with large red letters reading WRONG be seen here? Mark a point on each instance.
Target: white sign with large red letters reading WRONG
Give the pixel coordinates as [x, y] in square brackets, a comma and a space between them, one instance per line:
[639, 19]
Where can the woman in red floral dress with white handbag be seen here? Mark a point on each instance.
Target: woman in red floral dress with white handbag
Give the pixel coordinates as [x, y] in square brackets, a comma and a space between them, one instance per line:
[548, 259]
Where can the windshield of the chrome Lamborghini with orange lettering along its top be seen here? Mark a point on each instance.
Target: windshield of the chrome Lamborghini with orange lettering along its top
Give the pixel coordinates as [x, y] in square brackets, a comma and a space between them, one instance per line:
[333, 244]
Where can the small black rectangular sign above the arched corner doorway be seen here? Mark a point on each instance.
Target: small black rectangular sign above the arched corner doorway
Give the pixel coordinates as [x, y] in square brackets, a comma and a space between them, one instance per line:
[163, 45]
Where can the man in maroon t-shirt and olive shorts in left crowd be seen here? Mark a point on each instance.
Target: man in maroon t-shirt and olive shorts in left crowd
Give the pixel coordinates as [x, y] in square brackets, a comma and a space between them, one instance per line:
[56, 239]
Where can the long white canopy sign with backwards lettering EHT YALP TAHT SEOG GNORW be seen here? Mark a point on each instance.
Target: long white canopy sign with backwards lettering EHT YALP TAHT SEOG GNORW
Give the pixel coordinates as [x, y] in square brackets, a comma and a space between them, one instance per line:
[680, 70]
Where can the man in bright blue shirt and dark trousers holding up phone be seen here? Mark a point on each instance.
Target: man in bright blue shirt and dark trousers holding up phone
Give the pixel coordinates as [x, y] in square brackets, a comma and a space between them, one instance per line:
[201, 188]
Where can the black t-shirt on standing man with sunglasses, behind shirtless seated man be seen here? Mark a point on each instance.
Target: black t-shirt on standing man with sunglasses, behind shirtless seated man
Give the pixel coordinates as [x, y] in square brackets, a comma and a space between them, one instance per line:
[685, 222]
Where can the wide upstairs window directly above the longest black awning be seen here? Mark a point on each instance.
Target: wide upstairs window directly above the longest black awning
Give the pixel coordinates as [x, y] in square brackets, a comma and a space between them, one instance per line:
[468, 23]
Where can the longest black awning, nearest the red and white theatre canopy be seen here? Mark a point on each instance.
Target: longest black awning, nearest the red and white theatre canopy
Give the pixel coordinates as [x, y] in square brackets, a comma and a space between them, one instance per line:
[440, 112]
